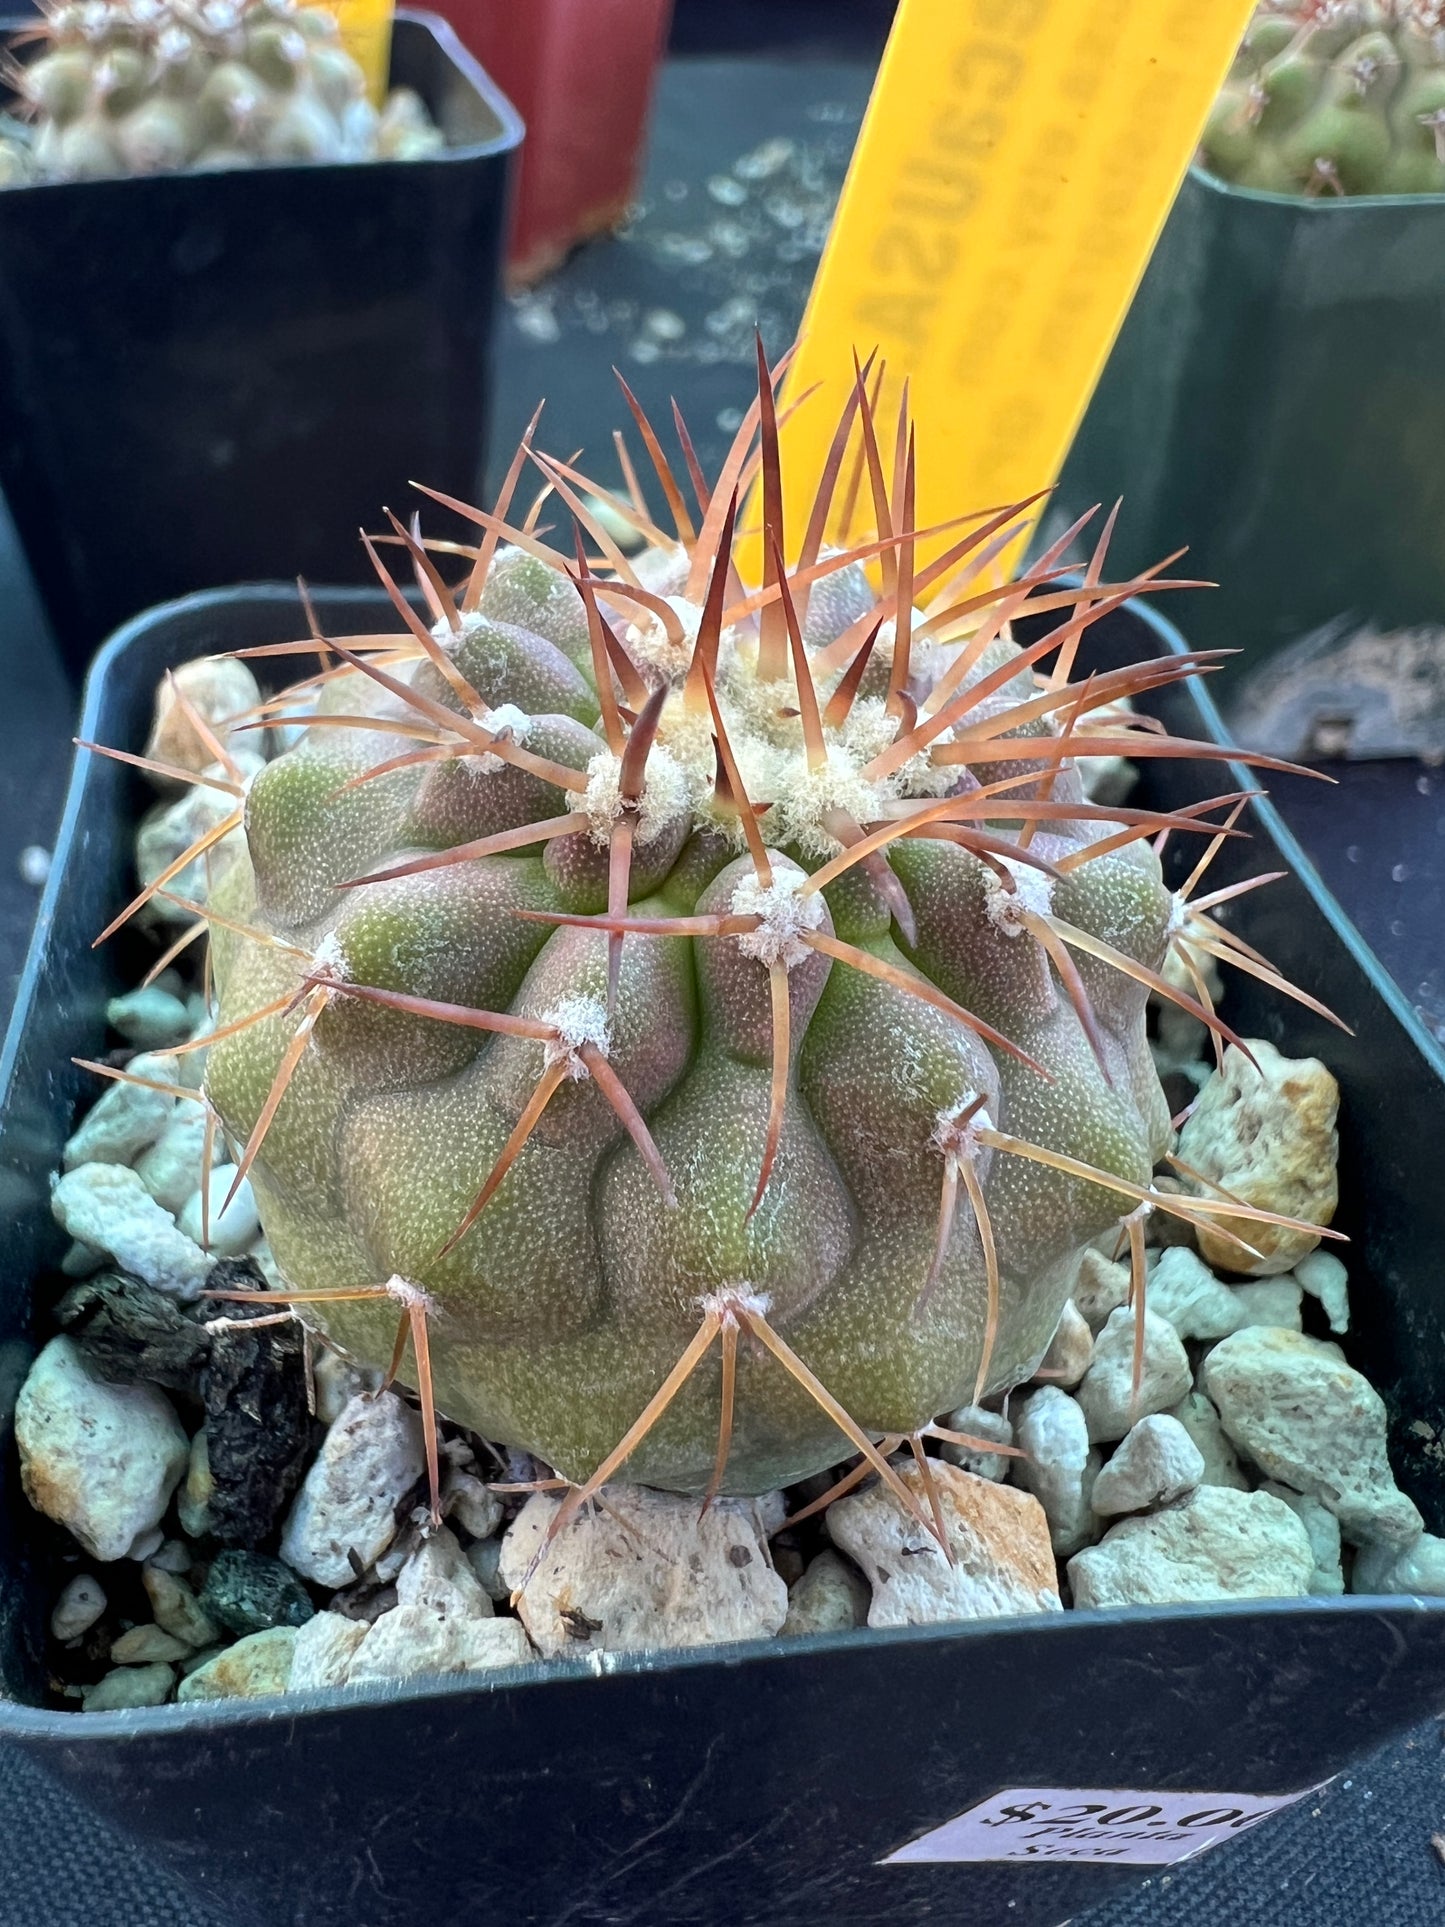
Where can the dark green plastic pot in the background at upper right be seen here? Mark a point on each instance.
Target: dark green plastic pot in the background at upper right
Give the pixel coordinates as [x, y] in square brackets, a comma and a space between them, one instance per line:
[1276, 400]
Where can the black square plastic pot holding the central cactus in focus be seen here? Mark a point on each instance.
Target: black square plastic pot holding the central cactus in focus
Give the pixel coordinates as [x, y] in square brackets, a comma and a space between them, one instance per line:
[756, 1783]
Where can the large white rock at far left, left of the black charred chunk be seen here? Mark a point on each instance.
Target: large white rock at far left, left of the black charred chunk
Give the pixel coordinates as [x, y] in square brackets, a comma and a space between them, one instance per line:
[101, 1460]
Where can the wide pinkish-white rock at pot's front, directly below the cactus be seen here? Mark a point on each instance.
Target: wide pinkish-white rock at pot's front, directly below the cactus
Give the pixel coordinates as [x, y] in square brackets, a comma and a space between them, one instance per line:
[644, 1571]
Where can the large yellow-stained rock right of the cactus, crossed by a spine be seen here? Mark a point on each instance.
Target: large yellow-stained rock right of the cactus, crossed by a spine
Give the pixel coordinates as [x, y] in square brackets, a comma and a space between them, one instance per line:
[1267, 1136]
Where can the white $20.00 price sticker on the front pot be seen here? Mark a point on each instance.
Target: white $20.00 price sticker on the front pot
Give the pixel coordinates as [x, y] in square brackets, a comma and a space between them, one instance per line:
[1088, 1824]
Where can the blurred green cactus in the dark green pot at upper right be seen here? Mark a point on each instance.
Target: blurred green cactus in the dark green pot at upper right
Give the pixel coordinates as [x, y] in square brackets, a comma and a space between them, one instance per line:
[1336, 97]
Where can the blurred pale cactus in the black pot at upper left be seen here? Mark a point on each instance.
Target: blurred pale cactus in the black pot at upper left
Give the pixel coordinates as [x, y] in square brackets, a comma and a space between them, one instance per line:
[157, 86]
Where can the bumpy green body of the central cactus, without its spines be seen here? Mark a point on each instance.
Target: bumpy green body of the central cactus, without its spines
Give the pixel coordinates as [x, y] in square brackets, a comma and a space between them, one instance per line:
[581, 1284]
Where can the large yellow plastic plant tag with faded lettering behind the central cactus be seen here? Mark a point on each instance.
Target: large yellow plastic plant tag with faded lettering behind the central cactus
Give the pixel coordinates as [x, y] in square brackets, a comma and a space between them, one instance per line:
[1007, 192]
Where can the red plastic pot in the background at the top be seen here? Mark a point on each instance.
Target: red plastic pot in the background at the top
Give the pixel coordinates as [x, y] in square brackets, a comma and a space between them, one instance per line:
[581, 74]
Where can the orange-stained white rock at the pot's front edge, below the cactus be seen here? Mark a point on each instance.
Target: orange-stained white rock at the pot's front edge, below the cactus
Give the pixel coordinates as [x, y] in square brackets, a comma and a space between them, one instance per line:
[999, 1541]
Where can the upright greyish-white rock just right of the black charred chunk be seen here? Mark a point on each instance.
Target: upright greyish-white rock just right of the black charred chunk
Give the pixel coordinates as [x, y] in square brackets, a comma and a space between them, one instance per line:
[371, 1460]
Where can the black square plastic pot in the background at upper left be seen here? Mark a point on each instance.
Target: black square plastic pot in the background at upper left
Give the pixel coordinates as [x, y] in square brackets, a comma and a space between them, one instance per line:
[221, 377]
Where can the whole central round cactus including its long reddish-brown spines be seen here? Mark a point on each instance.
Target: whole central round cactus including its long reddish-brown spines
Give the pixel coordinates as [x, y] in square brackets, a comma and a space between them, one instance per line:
[714, 1018]
